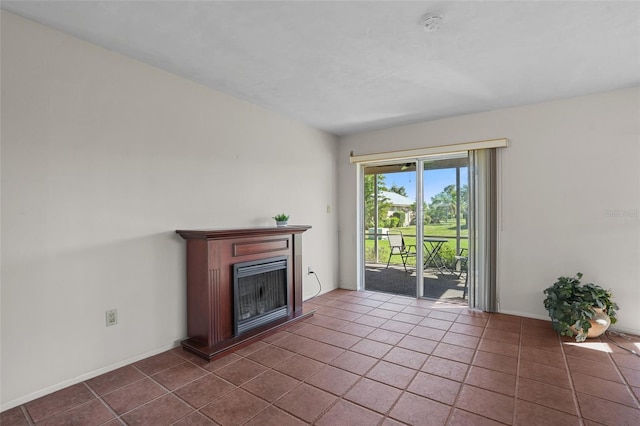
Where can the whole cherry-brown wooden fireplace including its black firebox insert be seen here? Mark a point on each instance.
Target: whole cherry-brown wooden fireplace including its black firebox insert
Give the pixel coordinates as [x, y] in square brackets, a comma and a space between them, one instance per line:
[218, 260]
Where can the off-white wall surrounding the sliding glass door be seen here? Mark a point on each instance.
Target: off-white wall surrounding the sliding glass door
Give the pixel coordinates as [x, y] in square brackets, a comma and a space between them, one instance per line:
[570, 194]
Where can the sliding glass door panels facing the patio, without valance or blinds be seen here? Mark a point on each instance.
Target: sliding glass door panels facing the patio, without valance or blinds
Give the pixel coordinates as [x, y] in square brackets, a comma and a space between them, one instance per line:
[415, 236]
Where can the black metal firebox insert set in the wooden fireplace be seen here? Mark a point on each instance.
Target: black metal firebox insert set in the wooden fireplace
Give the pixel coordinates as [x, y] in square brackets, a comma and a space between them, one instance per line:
[260, 292]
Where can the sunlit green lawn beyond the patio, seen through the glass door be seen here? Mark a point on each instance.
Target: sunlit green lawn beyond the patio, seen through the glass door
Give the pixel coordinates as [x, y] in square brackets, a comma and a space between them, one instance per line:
[448, 250]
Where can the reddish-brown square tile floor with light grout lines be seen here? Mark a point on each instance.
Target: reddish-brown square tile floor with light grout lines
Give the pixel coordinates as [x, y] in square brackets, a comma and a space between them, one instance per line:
[369, 359]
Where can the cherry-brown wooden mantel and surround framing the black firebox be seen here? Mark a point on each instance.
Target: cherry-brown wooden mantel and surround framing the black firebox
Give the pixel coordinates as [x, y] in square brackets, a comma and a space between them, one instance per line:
[211, 255]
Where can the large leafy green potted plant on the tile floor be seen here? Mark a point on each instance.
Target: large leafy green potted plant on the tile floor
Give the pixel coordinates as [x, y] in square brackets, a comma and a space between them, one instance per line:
[571, 305]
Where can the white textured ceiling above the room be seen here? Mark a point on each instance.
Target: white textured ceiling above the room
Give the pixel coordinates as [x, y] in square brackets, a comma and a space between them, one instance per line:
[347, 67]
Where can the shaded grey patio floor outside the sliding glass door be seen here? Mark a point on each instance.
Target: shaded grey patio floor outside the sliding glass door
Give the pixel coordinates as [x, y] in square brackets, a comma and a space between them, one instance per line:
[395, 280]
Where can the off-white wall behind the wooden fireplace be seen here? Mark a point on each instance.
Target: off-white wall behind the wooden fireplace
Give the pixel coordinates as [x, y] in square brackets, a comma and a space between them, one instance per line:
[103, 158]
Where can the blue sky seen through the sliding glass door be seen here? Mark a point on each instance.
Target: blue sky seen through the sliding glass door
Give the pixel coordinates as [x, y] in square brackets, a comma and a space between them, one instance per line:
[434, 181]
